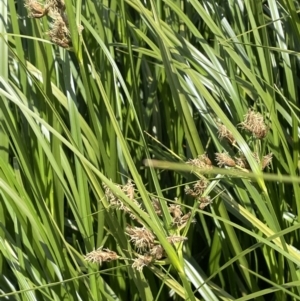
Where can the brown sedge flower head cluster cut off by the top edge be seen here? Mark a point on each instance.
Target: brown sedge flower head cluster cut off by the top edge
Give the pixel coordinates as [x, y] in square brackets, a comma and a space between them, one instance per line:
[55, 9]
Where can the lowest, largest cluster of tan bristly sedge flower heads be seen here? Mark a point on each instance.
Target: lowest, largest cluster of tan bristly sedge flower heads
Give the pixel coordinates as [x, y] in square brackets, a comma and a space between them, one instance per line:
[143, 239]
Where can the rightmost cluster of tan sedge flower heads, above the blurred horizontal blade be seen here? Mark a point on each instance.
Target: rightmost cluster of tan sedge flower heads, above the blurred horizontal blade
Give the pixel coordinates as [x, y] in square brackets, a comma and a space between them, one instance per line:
[253, 123]
